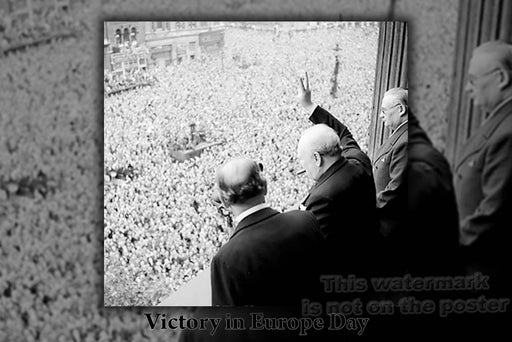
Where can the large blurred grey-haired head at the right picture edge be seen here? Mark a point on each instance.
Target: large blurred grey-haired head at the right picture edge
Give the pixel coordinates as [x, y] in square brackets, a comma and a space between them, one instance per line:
[489, 78]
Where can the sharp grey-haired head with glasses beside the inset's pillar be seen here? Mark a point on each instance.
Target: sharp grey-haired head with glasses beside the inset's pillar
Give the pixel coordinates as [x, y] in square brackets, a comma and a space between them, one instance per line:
[394, 107]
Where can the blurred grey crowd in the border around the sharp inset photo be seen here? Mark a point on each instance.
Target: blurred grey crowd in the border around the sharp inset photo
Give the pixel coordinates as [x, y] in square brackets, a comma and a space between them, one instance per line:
[51, 265]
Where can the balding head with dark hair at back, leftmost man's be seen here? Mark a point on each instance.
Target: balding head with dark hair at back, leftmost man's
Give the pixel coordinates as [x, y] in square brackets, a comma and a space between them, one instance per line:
[239, 181]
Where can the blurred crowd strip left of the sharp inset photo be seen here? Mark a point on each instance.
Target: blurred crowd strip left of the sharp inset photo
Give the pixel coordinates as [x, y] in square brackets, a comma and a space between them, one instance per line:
[51, 178]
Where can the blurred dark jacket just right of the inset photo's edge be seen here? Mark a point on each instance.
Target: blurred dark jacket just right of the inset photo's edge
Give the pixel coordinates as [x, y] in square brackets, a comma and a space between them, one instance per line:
[431, 235]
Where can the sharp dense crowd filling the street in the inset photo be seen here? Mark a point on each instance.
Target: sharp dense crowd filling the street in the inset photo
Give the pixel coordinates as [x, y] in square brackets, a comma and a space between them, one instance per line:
[160, 227]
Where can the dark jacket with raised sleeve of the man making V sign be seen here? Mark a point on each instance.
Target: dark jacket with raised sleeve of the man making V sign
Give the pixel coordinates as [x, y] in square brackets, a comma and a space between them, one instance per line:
[343, 200]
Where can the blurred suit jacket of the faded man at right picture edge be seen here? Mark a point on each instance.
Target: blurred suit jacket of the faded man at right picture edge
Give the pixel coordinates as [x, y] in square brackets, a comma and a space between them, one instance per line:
[483, 185]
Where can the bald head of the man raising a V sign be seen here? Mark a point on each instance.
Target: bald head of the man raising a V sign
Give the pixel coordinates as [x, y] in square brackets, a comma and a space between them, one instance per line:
[318, 149]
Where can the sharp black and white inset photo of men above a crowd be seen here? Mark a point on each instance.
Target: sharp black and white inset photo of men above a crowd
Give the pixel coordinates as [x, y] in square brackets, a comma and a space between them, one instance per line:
[205, 120]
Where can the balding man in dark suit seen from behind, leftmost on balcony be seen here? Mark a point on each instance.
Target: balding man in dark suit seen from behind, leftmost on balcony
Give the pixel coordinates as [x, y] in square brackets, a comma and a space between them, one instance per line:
[271, 258]
